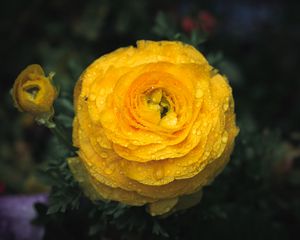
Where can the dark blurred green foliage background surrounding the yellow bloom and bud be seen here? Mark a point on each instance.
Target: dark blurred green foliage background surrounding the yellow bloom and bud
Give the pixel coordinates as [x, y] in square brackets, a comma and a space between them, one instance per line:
[255, 43]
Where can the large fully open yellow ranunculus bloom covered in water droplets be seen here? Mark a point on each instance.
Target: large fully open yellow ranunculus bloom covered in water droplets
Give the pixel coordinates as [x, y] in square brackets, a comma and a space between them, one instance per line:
[153, 125]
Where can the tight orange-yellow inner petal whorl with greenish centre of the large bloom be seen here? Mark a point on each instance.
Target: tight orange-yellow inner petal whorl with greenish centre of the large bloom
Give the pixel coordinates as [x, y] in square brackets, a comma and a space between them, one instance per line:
[157, 101]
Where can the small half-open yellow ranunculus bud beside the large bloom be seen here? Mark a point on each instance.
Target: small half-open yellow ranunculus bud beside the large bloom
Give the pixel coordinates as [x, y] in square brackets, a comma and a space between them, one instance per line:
[34, 93]
